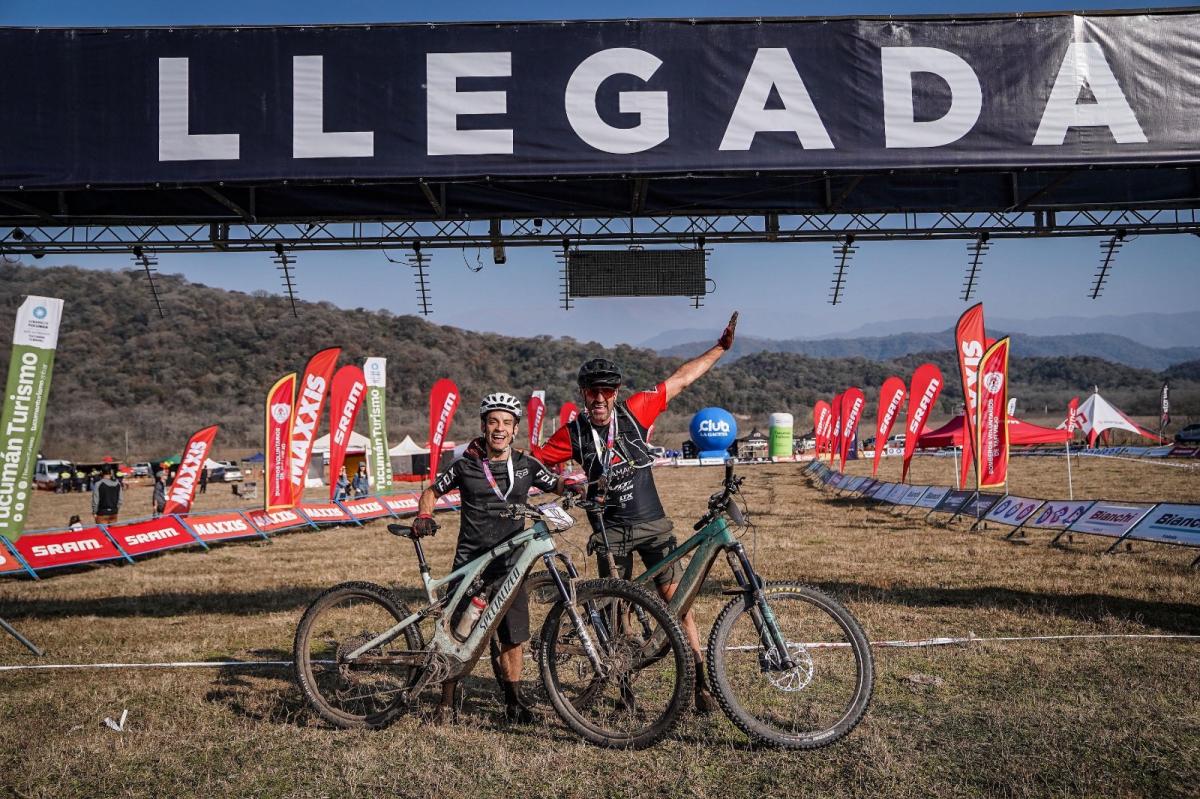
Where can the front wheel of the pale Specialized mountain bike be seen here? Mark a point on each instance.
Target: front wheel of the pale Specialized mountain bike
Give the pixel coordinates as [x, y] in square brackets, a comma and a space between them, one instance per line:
[638, 695]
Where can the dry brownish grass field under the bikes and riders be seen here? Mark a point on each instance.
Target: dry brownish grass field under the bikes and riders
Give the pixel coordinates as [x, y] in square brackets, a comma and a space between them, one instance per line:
[1097, 718]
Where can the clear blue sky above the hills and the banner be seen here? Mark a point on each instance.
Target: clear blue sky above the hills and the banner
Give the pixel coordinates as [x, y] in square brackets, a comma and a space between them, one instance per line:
[782, 290]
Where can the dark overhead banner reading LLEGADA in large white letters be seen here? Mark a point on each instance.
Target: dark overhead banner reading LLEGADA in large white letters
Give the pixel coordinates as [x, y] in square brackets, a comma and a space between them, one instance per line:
[123, 107]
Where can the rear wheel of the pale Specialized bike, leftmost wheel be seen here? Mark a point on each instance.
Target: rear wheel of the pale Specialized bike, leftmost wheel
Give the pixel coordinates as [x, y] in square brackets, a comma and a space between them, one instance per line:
[338, 623]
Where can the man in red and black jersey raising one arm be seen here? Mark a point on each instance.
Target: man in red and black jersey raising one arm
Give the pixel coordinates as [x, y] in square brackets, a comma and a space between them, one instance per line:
[609, 441]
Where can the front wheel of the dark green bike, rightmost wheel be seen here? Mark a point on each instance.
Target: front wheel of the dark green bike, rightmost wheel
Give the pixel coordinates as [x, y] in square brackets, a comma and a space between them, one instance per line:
[814, 701]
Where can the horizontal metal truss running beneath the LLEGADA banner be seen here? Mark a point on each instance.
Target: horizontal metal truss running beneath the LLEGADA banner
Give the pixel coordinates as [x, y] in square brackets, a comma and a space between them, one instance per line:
[731, 229]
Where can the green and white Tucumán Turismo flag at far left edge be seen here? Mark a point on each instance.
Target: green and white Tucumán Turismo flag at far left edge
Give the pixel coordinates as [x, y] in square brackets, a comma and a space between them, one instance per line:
[34, 340]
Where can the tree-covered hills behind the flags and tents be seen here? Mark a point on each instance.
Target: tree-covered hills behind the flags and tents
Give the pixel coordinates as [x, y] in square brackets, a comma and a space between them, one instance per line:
[123, 370]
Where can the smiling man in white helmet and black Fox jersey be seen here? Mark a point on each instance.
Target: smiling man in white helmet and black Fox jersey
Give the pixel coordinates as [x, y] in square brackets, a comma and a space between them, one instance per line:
[490, 472]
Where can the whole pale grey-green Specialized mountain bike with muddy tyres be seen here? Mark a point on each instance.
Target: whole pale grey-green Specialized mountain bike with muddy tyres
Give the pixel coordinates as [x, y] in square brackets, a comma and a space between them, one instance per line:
[362, 657]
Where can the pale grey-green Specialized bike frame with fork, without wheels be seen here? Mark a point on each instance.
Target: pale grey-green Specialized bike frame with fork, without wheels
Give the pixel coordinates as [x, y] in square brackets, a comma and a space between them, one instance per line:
[536, 543]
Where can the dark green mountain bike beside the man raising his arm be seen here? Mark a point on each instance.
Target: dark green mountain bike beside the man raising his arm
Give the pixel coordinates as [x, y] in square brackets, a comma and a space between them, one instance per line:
[790, 666]
